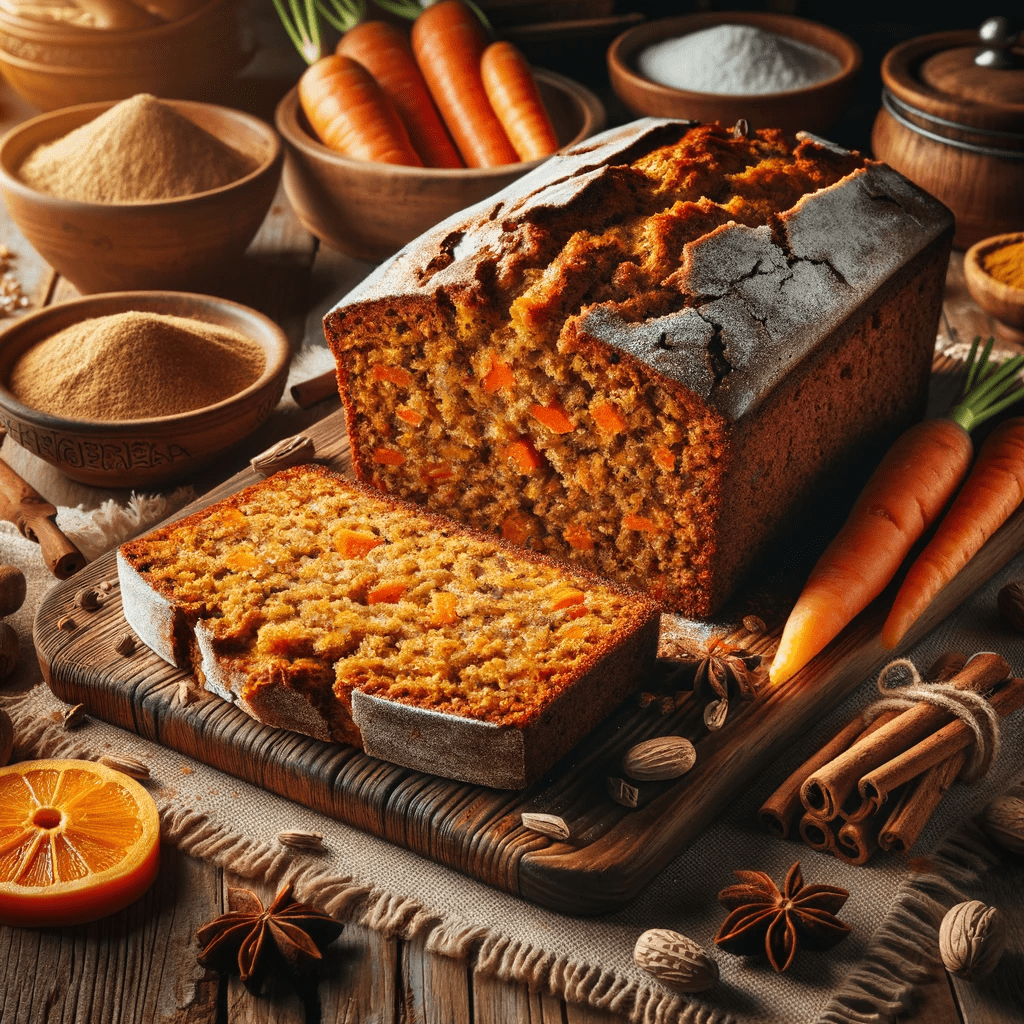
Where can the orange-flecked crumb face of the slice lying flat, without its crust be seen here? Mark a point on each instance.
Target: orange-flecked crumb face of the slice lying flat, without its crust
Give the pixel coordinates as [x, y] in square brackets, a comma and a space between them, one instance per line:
[311, 583]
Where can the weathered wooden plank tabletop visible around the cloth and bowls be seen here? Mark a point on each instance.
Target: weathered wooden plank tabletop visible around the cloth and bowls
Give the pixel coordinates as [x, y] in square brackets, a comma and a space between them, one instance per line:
[140, 965]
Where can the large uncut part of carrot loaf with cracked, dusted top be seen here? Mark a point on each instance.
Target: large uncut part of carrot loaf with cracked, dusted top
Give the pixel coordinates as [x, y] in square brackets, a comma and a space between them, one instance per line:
[642, 356]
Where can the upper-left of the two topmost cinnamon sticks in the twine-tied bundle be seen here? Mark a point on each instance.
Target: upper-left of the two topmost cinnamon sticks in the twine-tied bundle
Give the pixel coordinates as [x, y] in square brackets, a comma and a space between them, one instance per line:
[827, 790]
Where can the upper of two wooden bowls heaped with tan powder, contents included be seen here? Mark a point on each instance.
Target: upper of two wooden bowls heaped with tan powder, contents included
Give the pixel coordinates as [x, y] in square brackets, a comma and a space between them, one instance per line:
[144, 194]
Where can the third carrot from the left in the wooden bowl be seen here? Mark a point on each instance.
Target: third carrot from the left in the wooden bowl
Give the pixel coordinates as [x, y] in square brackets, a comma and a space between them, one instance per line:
[448, 41]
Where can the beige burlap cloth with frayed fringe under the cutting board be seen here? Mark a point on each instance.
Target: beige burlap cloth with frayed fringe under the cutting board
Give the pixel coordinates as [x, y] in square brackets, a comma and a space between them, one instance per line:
[871, 976]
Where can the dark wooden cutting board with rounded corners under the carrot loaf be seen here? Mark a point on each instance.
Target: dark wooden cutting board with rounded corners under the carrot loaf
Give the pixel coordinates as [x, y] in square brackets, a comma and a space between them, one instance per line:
[613, 852]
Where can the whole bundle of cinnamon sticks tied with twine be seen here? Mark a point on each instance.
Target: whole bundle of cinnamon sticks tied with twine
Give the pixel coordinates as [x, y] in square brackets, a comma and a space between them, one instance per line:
[876, 784]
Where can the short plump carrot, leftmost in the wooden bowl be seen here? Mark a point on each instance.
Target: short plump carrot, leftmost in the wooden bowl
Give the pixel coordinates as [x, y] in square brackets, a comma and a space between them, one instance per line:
[351, 113]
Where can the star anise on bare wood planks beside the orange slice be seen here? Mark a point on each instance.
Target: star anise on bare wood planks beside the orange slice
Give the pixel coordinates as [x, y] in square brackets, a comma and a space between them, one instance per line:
[252, 941]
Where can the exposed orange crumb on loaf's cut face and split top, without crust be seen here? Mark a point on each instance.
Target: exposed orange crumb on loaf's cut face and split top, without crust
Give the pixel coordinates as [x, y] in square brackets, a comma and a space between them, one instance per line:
[487, 400]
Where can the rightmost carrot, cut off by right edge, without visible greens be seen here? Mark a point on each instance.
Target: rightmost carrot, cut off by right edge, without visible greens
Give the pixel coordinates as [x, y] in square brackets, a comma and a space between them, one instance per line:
[992, 493]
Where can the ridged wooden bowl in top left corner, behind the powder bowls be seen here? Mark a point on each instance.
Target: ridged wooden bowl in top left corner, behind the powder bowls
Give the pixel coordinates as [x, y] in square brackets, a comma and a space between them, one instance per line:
[54, 66]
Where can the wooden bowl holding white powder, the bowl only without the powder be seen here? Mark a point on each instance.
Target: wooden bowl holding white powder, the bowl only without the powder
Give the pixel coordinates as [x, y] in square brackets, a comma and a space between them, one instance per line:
[815, 108]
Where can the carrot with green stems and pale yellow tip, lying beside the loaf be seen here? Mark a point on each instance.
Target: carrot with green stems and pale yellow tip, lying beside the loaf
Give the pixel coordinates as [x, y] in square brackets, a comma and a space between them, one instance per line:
[905, 496]
